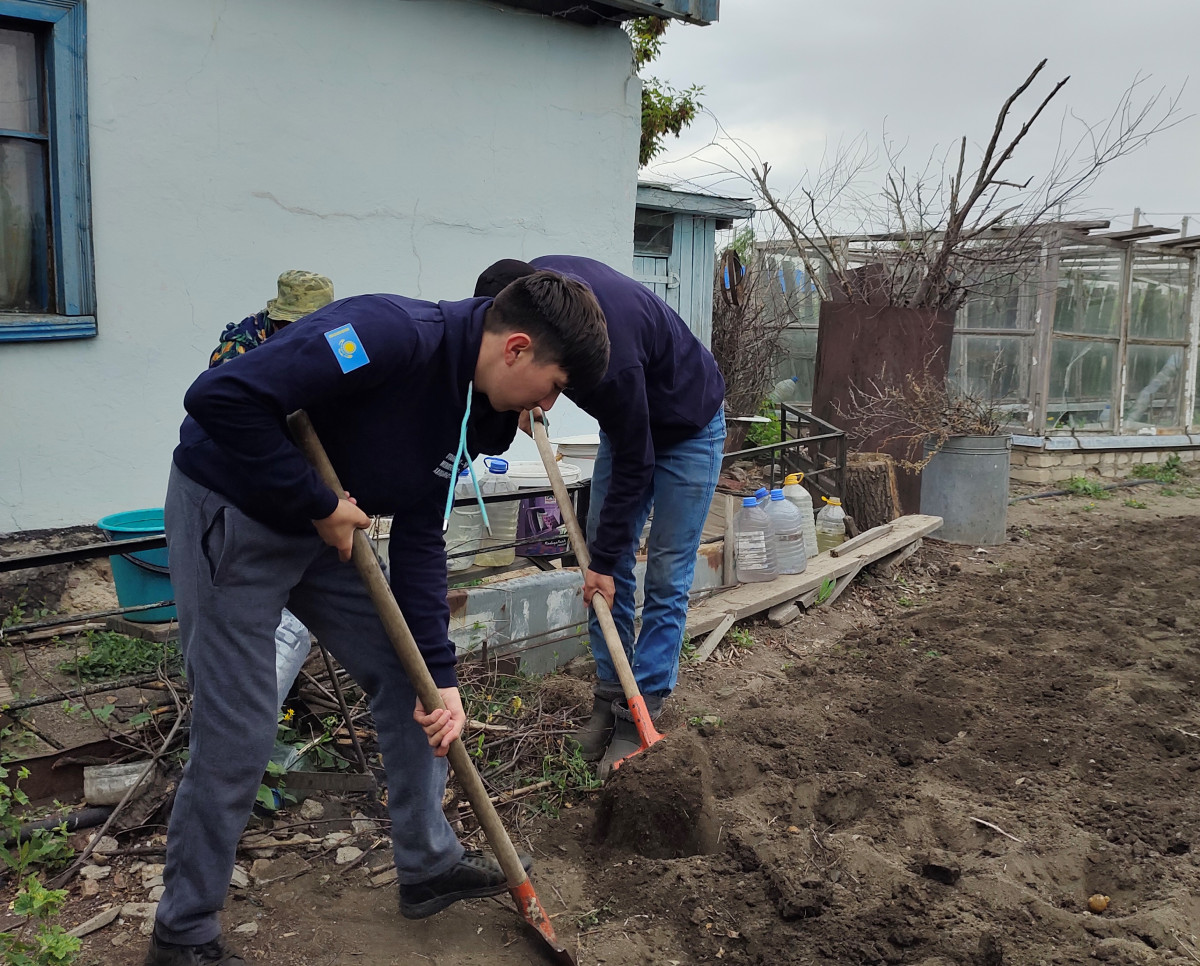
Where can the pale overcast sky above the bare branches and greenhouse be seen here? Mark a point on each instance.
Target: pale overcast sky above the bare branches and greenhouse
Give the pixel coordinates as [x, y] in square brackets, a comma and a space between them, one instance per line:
[795, 80]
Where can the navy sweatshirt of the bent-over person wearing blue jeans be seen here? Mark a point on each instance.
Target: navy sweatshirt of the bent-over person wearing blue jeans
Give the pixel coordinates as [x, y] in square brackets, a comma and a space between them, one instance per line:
[662, 388]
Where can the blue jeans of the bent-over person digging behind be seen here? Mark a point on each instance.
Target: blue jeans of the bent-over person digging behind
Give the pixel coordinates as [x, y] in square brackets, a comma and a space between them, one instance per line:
[681, 493]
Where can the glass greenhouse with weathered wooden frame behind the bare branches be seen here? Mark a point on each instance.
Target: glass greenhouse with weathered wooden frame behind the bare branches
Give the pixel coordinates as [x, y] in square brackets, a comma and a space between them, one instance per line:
[1087, 341]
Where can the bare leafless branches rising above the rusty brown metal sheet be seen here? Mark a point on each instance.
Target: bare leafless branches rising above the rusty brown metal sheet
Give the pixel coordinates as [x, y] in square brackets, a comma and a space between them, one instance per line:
[935, 233]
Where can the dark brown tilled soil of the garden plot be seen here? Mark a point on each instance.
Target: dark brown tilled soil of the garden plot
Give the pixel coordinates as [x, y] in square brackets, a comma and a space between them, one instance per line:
[940, 770]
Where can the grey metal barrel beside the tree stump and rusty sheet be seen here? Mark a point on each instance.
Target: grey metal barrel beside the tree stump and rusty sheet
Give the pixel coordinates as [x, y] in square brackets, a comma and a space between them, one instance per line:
[967, 484]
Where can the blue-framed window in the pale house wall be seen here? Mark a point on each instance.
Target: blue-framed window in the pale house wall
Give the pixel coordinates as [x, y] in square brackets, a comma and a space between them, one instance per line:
[47, 279]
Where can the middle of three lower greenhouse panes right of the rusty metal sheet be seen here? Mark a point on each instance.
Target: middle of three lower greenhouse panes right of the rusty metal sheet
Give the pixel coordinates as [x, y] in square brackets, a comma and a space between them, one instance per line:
[1083, 385]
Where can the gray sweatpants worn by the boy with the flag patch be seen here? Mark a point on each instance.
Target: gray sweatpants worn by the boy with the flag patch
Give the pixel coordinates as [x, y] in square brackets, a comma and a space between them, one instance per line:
[232, 578]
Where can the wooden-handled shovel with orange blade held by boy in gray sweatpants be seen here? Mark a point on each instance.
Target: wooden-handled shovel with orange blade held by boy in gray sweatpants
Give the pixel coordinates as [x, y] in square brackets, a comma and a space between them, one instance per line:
[394, 623]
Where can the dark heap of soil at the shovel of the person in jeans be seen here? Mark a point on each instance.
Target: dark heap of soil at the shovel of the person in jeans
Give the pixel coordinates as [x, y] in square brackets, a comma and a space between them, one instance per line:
[659, 805]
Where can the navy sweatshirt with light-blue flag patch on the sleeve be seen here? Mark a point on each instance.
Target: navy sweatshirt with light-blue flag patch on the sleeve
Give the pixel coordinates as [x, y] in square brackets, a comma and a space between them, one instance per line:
[385, 381]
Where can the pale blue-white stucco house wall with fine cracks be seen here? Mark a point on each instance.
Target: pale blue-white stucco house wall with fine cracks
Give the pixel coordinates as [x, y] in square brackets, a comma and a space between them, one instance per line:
[397, 146]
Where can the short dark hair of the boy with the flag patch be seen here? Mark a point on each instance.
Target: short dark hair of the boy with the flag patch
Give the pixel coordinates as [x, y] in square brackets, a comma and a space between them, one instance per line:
[565, 321]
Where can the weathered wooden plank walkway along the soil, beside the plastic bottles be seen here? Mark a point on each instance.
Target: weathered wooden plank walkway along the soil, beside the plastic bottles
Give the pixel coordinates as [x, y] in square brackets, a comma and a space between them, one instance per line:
[749, 599]
